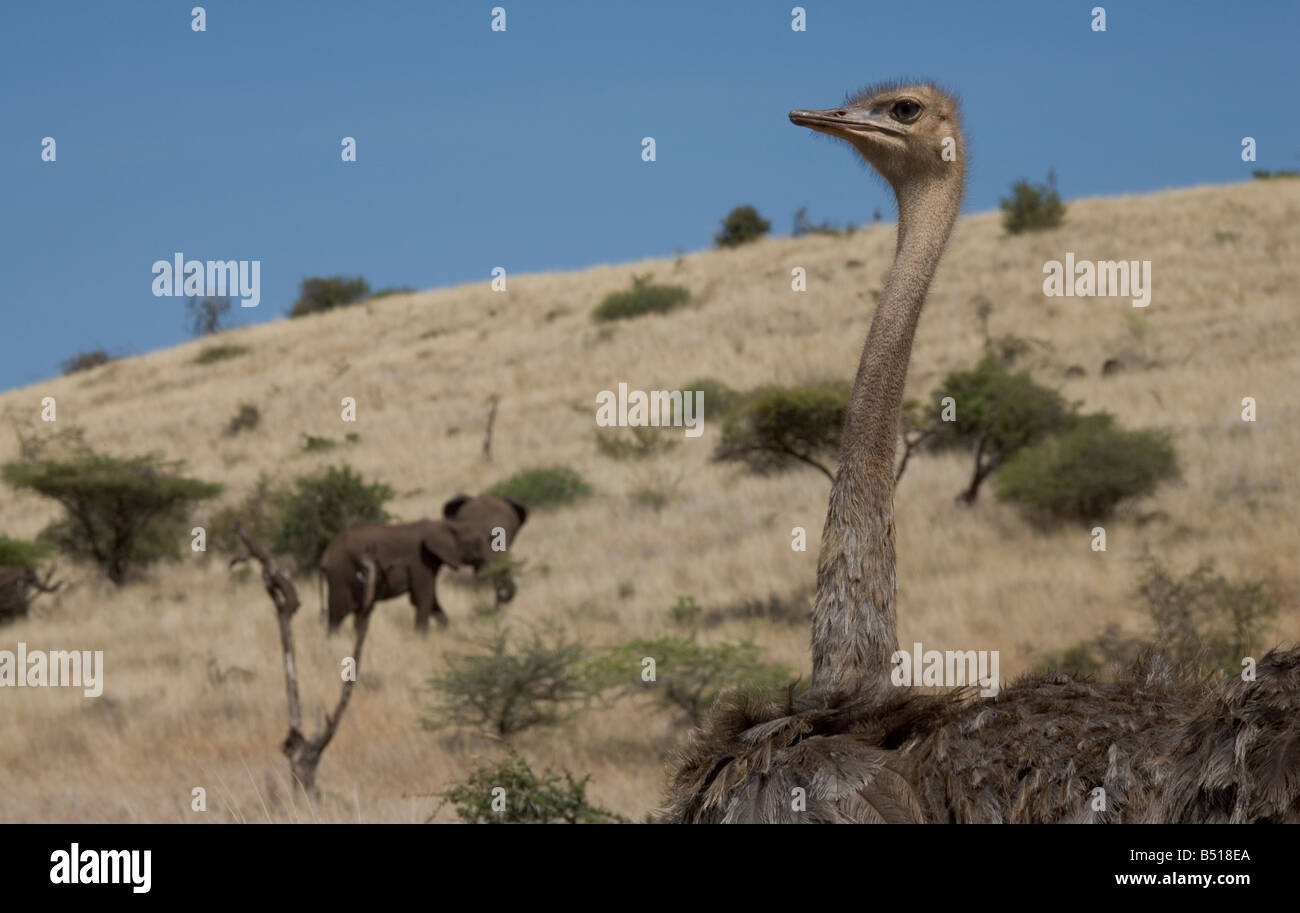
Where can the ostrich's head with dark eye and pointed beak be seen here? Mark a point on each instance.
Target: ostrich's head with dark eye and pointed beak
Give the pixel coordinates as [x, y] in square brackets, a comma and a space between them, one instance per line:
[909, 133]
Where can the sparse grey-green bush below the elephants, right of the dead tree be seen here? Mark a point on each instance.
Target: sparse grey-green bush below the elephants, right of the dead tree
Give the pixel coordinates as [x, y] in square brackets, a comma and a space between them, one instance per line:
[508, 691]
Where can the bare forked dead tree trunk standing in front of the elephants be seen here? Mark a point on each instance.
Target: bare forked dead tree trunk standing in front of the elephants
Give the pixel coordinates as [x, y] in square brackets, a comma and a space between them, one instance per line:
[305, 754]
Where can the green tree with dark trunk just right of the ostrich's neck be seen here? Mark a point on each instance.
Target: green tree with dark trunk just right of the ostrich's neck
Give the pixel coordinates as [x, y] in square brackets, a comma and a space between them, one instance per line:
[996, 414]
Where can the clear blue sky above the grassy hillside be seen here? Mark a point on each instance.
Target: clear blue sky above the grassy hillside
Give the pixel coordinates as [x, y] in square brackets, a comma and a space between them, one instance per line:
[522, 149]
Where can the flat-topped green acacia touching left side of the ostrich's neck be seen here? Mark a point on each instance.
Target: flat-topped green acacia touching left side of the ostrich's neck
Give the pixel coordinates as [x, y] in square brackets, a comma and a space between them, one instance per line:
[777, 429]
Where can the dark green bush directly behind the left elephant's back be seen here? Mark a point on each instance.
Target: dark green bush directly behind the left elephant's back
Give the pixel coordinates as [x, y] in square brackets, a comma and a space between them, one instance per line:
[320, 507]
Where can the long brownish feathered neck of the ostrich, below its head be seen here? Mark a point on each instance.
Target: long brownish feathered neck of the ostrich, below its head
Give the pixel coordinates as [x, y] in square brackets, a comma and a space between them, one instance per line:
[855, 629]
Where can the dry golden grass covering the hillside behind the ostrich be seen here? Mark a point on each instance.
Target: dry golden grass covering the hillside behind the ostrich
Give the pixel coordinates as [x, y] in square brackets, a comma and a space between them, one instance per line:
[1224, 323]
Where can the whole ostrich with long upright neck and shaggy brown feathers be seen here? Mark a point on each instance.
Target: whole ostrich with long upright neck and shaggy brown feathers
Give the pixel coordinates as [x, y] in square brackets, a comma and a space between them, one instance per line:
[1152, 747]
